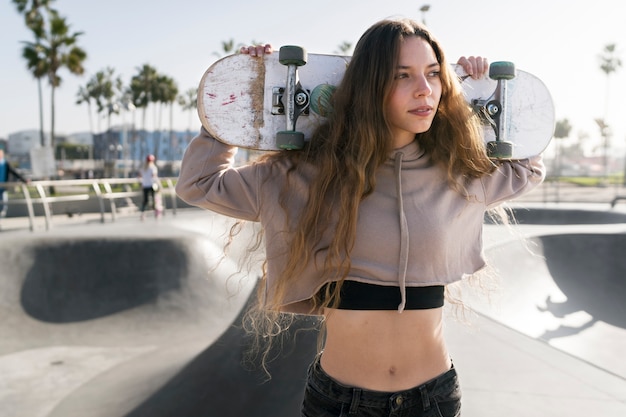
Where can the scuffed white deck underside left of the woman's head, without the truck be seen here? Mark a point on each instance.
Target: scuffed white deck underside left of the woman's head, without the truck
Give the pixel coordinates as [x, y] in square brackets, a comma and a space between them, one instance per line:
[235, 97]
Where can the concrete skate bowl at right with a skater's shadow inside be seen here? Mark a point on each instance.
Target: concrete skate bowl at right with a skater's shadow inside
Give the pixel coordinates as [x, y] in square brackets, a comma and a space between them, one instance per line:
[567, 289]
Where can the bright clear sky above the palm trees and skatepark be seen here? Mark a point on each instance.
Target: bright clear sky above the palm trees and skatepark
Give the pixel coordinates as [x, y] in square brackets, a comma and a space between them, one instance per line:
[558, 40]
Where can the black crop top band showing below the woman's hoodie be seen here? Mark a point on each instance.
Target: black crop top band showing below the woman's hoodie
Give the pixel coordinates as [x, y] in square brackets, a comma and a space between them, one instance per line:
[361, 296]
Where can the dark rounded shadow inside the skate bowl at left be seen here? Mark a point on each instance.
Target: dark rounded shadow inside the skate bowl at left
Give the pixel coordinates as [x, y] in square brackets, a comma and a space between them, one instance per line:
[115, 275]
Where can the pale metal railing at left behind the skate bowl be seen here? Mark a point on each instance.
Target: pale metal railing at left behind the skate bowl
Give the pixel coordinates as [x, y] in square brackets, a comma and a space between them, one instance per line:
[105, 190]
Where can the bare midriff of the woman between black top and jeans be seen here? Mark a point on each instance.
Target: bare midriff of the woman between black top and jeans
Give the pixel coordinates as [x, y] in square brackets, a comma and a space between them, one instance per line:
[384, 350]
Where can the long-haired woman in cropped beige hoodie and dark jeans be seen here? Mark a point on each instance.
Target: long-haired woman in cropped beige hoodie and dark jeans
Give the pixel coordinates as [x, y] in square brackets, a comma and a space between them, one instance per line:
[367, 225]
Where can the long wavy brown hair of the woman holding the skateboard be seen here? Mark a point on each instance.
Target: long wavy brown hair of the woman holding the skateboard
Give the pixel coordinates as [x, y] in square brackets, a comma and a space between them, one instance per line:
[348, 150]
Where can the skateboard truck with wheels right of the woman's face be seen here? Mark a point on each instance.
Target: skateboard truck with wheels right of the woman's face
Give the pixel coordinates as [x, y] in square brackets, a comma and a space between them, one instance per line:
[496, 109]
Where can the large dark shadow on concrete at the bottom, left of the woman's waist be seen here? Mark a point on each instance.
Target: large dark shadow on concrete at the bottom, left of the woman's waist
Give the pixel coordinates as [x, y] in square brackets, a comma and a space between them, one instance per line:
[221, 382]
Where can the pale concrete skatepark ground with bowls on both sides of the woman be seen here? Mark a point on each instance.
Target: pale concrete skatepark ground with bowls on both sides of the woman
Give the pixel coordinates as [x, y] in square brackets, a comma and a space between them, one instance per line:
[142, 319]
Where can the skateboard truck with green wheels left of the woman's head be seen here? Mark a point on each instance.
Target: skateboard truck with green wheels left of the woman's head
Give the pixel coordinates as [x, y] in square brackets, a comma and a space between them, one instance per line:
[294, 98]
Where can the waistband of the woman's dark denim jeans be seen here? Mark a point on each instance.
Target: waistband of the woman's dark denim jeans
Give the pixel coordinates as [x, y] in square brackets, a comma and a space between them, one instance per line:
[325, 384]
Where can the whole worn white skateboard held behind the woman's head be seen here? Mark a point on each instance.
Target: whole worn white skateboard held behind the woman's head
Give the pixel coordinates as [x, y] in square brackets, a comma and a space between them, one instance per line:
[275, 103]
